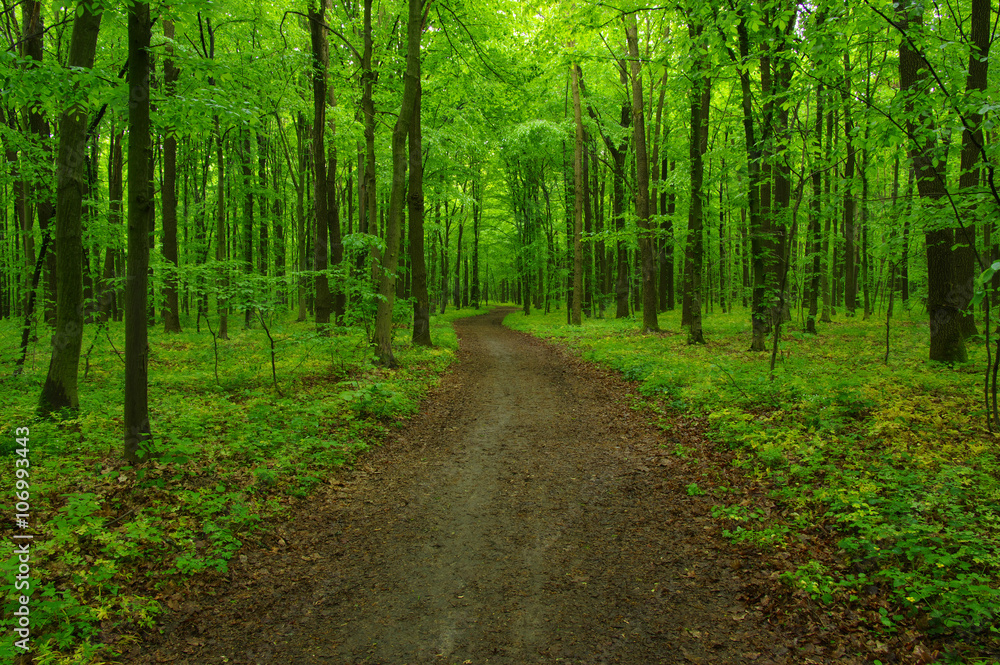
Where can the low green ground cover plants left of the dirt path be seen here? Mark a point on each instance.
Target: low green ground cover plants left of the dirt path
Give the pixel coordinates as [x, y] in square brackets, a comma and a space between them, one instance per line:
[117, 545]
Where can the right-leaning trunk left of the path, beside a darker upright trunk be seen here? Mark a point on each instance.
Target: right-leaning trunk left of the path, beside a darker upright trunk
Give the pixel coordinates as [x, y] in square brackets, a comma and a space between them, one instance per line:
[387, 290]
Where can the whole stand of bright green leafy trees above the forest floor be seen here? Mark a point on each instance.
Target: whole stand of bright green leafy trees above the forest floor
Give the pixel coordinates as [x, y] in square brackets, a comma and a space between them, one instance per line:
[558, 152]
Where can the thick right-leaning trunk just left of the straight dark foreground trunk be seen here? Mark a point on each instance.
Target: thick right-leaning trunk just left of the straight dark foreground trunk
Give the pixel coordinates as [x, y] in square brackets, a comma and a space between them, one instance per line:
[60, 388]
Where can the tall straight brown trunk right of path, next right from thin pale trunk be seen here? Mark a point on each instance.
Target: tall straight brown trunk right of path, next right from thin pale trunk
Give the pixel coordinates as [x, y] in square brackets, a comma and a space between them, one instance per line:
[649, 322]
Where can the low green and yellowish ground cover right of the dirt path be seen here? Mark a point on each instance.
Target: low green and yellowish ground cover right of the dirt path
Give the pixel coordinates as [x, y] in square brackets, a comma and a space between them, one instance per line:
[879, 490]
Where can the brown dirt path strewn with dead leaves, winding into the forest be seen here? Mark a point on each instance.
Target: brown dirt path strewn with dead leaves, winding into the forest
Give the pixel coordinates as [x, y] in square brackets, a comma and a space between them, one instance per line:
[531, 512]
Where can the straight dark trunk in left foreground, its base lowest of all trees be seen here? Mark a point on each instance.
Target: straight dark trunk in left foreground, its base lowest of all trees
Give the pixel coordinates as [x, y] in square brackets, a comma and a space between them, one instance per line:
[140, 214]
